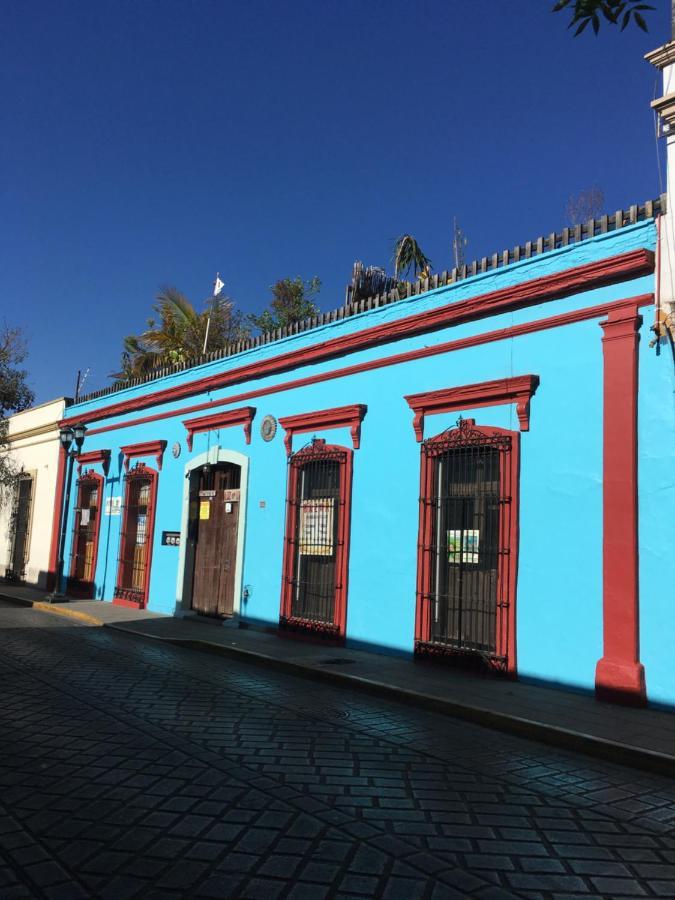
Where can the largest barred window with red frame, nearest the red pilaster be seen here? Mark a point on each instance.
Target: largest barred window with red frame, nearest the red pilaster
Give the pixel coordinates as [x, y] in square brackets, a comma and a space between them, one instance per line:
[466, 542]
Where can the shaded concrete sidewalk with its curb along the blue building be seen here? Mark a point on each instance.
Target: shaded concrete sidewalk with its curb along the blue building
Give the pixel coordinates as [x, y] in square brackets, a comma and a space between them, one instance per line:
[640, 737]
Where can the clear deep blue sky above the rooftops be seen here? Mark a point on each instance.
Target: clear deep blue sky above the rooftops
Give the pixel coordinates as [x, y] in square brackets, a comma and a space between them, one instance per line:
[150, 143]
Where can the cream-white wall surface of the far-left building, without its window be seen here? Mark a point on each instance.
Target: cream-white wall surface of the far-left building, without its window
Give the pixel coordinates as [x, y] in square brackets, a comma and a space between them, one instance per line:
[34, 446]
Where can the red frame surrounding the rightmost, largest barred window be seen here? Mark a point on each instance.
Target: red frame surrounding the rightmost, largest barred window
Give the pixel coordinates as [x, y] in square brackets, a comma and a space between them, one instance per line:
[509, 478]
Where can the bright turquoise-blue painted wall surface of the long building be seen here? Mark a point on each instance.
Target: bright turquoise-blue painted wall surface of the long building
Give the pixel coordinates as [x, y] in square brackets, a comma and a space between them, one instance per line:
[559, 596]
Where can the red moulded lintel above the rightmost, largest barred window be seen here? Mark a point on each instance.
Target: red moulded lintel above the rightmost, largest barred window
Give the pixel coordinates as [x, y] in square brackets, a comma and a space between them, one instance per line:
[518, 390]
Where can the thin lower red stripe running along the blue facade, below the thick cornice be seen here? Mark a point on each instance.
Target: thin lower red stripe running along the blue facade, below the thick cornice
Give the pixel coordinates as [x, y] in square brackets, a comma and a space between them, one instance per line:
[501, 334]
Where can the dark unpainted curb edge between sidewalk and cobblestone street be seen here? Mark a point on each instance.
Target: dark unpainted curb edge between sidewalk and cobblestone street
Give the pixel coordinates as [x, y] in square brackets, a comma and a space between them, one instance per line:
[623, 754]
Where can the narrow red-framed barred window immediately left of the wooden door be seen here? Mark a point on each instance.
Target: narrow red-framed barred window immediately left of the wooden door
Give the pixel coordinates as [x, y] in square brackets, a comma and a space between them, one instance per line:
[138, 522]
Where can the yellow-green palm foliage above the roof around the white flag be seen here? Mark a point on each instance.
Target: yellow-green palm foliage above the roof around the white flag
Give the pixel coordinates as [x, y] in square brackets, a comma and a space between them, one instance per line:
[177, 333]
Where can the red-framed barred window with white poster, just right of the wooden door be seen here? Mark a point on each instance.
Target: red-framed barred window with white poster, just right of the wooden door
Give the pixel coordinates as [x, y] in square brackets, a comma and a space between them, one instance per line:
[316, 539]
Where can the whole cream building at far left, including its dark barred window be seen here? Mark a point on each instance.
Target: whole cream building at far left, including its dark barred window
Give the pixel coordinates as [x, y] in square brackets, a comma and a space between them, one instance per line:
[27, 513]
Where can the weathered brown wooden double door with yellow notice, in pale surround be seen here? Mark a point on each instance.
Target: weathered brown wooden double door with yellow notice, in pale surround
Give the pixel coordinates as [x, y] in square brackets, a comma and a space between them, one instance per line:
[214, 532]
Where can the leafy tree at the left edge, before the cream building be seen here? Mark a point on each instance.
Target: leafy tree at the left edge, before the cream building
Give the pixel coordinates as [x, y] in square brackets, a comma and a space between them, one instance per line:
[15, 395]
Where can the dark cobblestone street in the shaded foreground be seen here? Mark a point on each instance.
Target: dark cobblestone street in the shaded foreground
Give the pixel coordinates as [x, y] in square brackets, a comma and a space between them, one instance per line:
[130, 769]
